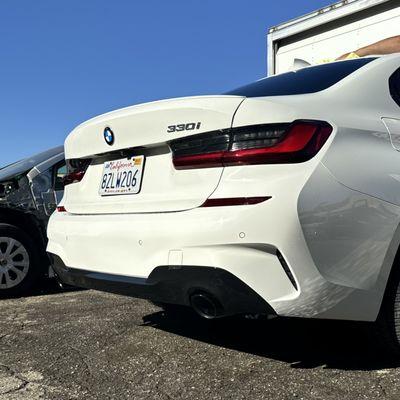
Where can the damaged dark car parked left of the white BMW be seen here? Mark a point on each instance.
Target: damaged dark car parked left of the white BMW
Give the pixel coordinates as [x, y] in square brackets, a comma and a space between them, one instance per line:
[29, 192]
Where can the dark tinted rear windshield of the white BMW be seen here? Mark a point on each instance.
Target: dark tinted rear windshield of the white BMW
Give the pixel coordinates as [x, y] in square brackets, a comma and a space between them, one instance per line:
[306, 80]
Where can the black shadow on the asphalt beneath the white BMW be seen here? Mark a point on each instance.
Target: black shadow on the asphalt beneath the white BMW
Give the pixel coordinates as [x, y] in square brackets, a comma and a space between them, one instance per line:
[299, 342]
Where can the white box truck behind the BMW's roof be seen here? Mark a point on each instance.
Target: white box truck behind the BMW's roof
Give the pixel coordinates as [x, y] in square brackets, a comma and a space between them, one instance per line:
[330, 32]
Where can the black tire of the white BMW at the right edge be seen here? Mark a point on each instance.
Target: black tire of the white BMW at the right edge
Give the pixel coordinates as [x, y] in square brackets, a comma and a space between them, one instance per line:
[387, 326]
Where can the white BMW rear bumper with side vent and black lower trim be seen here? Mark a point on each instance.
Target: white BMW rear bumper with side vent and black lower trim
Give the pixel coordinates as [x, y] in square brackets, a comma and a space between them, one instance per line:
[122, 253]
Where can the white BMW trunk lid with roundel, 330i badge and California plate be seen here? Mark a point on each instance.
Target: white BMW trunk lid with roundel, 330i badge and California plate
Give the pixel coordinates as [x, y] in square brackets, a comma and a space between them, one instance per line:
[141, 135]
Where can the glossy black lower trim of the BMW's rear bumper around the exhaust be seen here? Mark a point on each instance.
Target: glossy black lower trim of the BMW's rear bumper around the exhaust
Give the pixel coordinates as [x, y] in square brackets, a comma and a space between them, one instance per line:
[172, 285]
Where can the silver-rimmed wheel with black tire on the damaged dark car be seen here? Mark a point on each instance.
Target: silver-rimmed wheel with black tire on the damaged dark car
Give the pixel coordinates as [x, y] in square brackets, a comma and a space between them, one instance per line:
[18, 262]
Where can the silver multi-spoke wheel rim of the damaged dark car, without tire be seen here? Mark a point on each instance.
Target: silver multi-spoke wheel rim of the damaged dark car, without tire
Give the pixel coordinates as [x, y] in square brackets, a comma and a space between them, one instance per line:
[14, 262]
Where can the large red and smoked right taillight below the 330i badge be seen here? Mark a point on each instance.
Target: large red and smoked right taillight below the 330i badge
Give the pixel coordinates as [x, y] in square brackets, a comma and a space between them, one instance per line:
[257, 144]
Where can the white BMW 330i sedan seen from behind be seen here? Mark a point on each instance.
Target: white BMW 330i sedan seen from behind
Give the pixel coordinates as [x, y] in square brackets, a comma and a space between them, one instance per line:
[281, 197]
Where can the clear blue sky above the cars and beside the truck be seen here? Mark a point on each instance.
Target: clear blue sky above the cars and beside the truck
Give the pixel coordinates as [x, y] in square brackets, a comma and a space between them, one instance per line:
[63, 62]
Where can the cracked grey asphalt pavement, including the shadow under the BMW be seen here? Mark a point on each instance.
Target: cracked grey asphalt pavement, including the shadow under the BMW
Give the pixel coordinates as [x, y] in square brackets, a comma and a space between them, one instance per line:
[92, 345]
